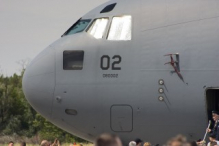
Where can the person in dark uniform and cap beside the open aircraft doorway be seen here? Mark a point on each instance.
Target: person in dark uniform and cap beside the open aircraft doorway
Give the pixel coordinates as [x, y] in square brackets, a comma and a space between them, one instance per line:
[215, 130]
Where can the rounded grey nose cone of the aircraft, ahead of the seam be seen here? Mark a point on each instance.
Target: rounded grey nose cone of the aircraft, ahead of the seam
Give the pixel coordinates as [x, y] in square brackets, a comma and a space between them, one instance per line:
[39, 82]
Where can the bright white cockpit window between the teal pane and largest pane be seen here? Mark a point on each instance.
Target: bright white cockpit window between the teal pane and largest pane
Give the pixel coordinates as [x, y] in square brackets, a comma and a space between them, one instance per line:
[98, 27]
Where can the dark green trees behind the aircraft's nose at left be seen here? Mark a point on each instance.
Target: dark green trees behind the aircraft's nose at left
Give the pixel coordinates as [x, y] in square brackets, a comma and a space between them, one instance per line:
[17, 117]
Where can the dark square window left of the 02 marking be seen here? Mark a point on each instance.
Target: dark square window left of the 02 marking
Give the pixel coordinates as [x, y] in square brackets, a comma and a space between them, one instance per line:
[73, 60]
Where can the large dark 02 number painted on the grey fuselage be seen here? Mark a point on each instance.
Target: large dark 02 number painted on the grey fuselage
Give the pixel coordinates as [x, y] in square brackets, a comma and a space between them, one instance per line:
[106, 58]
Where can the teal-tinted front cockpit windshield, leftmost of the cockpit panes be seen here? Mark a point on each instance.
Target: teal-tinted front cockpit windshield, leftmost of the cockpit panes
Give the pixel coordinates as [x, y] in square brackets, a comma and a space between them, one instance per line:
[79, 26]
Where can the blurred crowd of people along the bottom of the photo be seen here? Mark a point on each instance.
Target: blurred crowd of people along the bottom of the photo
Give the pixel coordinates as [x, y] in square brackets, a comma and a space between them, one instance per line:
[179, 140]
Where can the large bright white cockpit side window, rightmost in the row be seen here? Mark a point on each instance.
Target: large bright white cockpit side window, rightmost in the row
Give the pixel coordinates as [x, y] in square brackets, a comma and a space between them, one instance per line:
[120, 28]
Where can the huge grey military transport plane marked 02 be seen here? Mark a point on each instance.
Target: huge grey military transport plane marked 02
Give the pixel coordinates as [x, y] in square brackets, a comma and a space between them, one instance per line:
[135, 68]
